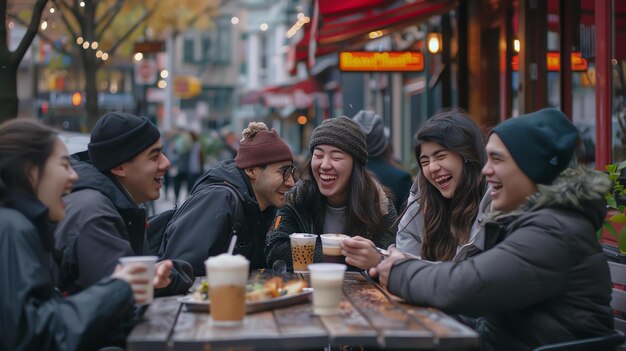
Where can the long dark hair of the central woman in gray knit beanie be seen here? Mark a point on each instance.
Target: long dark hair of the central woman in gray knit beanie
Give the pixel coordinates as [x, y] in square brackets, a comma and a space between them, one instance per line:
[363, 212]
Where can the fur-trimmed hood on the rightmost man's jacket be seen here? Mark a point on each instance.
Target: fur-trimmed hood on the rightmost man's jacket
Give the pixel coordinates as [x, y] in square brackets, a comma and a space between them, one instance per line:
[580, 189]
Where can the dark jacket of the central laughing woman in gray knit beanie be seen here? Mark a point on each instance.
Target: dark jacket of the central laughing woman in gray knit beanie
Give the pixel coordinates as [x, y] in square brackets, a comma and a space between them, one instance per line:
[297, 217]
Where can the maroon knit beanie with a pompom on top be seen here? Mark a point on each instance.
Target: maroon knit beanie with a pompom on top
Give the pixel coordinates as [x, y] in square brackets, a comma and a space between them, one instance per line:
[260, 147]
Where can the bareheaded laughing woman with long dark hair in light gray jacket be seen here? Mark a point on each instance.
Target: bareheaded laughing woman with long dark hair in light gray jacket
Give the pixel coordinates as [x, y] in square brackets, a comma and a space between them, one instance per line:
[448, 200]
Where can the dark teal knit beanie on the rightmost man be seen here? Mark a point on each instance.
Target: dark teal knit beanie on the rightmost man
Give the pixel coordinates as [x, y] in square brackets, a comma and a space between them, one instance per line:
[542, 143]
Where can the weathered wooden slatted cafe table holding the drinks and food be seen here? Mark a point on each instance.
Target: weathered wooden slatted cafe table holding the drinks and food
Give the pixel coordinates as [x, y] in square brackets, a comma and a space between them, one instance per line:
[369, 317]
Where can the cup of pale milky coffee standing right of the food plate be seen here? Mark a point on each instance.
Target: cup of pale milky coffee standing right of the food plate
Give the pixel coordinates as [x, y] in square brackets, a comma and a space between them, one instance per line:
[326, 280]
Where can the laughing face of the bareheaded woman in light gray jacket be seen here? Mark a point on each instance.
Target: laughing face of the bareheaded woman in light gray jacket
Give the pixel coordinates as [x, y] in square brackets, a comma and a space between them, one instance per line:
[441, 167]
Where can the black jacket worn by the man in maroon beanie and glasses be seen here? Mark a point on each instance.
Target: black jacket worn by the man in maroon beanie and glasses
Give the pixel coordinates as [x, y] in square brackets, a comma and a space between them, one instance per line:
[204, 224]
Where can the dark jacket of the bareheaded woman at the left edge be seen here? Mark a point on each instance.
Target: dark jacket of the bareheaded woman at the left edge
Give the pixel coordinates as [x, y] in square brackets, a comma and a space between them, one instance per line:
[33, 316]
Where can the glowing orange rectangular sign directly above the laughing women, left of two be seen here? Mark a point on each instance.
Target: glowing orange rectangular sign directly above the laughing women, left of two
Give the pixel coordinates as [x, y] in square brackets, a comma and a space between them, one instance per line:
[386, 61]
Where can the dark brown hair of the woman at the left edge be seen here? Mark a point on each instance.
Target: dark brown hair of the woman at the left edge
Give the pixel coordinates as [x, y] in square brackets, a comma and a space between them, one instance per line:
[24, 145]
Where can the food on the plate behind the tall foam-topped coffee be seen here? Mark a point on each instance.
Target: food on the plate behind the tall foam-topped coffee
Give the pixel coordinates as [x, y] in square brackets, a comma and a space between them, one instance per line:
[257, 291]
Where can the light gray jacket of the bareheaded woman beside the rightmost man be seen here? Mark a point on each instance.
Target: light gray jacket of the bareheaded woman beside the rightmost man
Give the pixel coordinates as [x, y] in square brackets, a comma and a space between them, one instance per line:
[410, 234]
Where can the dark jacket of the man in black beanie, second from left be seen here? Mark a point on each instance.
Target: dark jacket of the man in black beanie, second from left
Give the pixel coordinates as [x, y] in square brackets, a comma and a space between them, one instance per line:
[101, 225]
